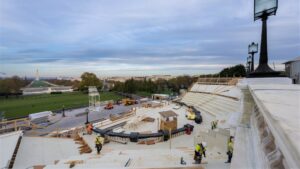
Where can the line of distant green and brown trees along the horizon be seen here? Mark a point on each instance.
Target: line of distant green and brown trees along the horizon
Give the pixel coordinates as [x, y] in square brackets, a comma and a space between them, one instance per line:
[11, 86]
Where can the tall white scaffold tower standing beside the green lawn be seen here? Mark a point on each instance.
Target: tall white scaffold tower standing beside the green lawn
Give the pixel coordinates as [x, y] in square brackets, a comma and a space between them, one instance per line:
[94, 99]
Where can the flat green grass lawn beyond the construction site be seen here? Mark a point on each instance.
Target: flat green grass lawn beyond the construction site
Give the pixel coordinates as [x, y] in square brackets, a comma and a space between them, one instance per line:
[19, 107]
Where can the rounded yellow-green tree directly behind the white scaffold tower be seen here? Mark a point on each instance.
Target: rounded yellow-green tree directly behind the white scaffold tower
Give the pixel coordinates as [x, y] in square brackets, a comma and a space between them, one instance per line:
[89, 79]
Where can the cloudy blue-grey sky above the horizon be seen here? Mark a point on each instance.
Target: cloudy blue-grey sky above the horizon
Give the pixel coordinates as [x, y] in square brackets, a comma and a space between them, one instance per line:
[138, 37]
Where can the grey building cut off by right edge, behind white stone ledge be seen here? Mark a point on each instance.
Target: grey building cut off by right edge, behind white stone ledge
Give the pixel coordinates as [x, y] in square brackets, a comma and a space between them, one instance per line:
[292, 69]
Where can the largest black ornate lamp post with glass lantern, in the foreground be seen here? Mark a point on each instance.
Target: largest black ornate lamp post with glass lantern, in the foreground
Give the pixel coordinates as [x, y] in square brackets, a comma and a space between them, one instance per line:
[263, 9]
